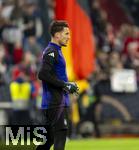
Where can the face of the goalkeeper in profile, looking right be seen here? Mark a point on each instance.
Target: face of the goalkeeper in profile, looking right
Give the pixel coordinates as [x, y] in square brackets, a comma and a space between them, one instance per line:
[64, 37]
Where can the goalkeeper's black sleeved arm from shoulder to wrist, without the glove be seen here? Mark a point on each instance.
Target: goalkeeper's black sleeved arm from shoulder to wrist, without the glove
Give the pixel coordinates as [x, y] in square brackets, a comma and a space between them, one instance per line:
[47, 70]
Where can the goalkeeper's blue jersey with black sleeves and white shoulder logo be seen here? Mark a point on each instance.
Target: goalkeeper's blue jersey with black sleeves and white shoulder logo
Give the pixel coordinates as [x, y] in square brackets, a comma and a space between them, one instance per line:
[53, 75]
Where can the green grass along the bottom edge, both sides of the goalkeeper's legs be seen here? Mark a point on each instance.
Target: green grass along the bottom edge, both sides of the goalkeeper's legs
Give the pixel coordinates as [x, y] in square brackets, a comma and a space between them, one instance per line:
[89, 144]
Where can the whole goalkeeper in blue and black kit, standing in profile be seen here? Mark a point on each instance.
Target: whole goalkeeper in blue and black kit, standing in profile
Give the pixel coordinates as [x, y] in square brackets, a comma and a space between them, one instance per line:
[55, 99]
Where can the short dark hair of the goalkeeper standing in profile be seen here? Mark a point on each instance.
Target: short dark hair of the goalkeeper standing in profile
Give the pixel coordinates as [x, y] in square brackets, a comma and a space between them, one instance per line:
[57, 26]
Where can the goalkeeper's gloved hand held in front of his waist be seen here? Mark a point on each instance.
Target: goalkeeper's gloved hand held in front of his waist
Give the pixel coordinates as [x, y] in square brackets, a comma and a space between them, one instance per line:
[71, 87]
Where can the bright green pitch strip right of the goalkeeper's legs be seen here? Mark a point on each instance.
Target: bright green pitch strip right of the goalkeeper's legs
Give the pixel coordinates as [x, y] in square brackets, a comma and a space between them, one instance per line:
[104, 144]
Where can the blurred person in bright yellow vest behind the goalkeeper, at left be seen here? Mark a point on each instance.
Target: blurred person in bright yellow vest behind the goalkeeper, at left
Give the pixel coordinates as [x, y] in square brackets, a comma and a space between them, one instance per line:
[20, 90]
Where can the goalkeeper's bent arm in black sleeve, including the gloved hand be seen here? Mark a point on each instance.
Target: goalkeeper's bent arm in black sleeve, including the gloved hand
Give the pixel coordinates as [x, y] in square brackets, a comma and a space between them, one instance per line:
[47, 73]
